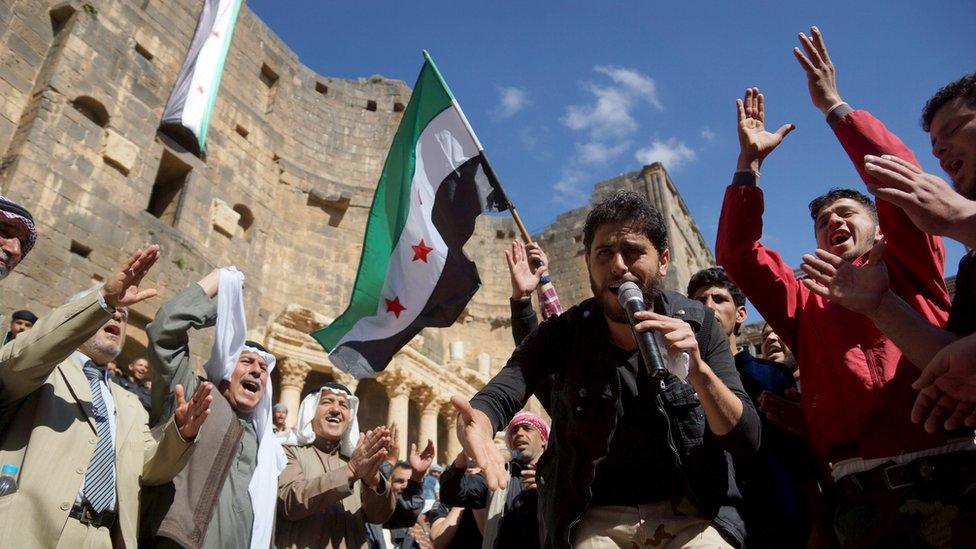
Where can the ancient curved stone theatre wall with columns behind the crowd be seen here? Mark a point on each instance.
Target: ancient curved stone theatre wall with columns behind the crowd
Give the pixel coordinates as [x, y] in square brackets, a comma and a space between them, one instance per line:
[282, 191]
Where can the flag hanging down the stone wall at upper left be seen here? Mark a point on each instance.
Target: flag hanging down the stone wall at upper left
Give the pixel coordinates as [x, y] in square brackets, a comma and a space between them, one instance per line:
[191, 102]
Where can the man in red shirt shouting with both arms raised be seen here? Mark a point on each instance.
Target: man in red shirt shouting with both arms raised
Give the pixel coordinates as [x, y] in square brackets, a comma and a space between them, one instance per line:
[857, 394]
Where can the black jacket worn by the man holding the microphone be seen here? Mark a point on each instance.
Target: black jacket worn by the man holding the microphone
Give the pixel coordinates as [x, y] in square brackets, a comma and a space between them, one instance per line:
[579, 387]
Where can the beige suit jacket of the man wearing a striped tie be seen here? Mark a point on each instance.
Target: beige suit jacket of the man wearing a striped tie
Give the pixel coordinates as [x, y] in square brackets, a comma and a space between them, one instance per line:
[46, 428]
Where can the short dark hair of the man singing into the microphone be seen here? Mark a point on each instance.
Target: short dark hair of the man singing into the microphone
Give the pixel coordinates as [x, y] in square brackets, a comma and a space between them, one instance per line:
[624, 205]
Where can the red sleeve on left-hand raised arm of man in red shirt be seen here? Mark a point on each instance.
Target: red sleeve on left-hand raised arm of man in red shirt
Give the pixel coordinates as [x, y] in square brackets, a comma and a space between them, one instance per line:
[758, 271]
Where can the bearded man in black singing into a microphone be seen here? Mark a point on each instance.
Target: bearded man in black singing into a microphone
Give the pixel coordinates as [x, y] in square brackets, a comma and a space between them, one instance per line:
[610, 418]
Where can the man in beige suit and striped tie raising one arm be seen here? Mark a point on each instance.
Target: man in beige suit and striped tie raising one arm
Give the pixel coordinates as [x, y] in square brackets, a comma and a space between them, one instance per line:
[82, 444]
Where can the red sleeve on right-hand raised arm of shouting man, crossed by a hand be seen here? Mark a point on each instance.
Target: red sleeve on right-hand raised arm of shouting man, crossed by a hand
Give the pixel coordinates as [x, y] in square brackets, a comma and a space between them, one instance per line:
[916, 260]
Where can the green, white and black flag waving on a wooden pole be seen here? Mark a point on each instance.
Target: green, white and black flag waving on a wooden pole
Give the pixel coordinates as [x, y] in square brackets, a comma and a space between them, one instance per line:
[413, 272]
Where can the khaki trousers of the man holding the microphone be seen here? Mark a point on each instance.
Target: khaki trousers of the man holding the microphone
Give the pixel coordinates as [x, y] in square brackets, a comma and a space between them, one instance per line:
[664, 525]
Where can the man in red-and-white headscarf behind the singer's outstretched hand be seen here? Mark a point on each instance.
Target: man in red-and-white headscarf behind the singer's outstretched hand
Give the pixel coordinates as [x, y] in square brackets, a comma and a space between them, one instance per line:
[512, 510]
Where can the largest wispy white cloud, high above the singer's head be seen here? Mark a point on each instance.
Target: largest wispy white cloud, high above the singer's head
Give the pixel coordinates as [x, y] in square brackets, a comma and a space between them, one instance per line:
[610, 116]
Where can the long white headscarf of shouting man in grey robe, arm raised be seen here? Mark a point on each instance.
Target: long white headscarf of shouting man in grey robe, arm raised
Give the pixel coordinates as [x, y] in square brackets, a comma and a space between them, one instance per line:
[231, 333]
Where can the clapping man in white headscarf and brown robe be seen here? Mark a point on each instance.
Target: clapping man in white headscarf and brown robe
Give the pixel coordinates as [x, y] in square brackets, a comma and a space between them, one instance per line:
[332, 484]
